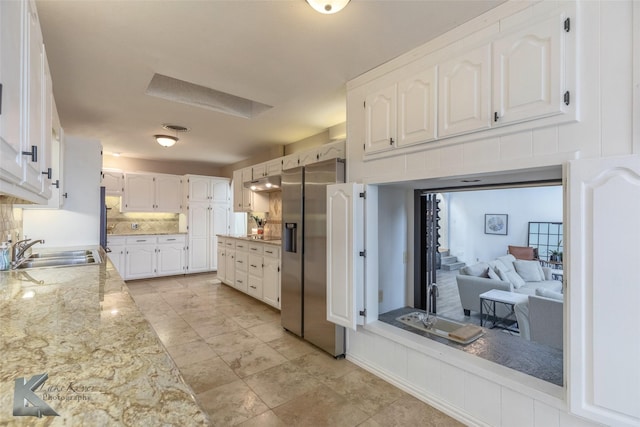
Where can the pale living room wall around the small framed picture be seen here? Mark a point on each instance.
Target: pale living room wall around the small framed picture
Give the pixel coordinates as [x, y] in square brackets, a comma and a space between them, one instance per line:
[466, 214]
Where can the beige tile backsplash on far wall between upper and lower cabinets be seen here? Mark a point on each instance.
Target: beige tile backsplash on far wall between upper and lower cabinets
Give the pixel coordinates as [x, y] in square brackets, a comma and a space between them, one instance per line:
[146, 222]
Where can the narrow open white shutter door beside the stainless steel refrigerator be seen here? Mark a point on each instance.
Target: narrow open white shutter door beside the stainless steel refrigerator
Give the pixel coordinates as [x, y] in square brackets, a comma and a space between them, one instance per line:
[345, 231]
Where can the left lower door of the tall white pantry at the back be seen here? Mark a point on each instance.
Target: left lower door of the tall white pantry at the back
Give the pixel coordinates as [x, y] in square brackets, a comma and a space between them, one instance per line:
[199, 238]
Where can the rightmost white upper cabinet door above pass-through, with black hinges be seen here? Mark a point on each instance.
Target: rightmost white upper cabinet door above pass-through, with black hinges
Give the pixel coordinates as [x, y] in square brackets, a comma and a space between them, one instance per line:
[527, 69]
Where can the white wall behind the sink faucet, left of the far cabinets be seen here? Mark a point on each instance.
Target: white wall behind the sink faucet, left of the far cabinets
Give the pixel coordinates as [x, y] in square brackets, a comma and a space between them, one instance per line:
[78, 222]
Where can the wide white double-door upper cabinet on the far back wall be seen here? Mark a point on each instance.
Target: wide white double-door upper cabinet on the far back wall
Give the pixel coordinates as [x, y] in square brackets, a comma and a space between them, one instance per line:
[152, 193]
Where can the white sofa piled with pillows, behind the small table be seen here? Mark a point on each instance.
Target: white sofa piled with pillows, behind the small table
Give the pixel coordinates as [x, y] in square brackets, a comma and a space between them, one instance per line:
[505, 273]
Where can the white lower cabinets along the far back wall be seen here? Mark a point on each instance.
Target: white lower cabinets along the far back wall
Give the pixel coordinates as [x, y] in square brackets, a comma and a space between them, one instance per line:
[144, 256]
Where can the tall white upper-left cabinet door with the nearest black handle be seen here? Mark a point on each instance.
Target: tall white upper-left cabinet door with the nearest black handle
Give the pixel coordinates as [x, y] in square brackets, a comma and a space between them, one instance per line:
[35, 115]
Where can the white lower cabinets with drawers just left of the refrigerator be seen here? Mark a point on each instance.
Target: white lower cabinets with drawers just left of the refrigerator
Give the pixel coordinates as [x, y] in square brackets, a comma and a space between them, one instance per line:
[252, 267]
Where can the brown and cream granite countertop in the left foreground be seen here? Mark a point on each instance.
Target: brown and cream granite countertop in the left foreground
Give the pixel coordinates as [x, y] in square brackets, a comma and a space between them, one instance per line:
[105, 364]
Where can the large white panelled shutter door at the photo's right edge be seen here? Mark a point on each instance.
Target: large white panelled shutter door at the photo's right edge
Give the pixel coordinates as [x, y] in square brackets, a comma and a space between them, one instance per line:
[603, 348]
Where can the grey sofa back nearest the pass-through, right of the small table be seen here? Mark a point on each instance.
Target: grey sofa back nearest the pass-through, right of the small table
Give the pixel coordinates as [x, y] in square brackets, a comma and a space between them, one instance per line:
[540, 318]
